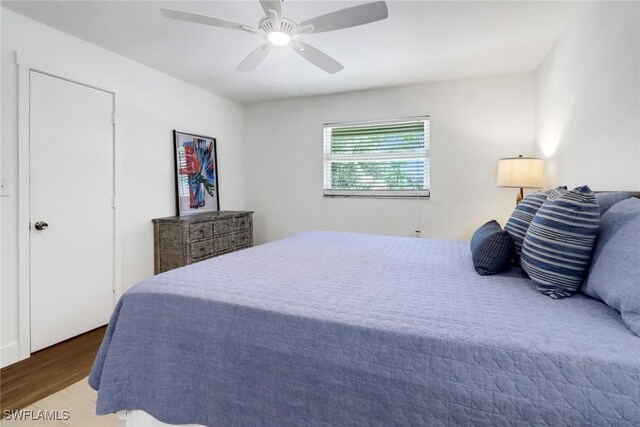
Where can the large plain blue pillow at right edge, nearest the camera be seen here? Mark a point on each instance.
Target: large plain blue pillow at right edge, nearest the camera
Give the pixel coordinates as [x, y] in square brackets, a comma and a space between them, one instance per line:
[614, 276]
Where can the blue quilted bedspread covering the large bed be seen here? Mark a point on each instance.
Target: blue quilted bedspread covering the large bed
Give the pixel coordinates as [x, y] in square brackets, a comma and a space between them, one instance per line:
[340, 329]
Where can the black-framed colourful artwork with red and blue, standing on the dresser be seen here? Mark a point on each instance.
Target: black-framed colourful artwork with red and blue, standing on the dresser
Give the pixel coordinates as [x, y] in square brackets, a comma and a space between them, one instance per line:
[196, 173]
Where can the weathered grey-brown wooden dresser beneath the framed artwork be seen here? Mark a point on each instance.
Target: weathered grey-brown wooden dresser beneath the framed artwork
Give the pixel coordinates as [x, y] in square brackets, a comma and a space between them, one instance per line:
[183, 240]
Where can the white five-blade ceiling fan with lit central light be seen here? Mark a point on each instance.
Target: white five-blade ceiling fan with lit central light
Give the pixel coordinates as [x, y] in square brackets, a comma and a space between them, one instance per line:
[281, 31]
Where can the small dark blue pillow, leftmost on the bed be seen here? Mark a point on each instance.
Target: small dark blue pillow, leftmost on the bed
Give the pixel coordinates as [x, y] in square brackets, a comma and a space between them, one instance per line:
[491, 249]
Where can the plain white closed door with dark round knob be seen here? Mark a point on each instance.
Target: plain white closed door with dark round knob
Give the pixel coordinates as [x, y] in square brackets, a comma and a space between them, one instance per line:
[71, 209]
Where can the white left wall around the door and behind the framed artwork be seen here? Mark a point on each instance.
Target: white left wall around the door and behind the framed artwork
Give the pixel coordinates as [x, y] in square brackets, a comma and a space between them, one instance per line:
[149, 105]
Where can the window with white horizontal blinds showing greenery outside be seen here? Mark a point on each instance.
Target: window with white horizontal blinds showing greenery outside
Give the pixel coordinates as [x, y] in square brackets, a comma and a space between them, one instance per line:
[377, 159]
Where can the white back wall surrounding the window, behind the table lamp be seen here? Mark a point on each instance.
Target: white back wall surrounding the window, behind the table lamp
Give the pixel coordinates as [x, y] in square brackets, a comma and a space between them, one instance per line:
[473, 123]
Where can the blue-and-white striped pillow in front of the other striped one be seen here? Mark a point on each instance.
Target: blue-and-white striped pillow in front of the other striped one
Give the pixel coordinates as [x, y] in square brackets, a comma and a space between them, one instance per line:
[557, 247]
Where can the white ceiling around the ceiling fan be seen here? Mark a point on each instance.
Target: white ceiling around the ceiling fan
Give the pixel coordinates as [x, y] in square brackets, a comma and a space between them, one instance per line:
[420, 41]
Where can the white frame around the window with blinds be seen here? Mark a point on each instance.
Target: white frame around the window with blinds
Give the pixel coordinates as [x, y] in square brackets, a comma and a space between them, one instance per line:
[375, 194]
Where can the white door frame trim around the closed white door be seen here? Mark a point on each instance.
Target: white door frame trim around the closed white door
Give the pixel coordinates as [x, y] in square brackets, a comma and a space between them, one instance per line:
[24, 195]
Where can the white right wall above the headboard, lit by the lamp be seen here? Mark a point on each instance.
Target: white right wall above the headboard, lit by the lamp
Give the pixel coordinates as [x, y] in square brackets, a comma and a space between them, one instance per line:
[588, 100]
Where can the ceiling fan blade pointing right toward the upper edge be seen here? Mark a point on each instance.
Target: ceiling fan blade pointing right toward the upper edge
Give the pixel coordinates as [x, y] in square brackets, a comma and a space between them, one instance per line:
[345, 18]
